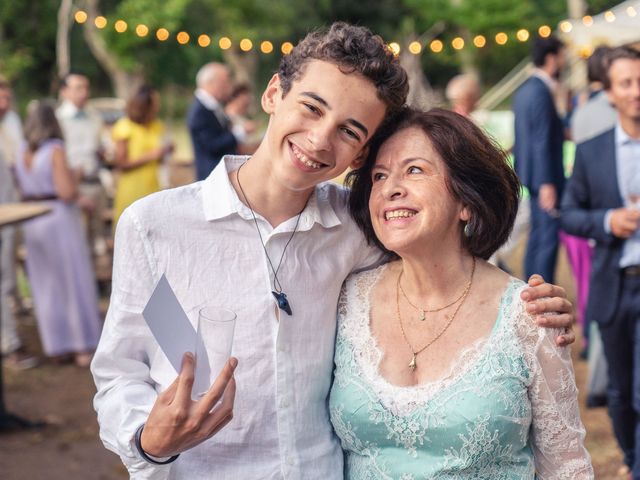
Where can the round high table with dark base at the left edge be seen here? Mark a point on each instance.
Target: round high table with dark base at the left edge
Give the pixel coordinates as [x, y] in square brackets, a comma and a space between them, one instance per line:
[12, 213]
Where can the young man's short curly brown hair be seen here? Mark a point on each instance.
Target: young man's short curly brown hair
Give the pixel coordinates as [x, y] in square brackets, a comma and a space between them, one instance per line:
[354, 50]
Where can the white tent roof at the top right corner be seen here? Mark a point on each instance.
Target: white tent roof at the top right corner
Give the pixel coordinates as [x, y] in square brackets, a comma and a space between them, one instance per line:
[618, 26]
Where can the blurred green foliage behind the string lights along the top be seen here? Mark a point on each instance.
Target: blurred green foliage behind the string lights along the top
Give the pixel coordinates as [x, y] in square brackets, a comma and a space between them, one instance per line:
[28, 32]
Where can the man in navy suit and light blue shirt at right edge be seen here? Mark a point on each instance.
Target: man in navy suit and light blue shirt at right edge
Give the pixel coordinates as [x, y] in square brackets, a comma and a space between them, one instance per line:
[602, 202]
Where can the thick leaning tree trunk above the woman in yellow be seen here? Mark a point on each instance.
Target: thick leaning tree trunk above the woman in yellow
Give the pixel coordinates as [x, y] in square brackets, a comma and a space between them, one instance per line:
[123, 82]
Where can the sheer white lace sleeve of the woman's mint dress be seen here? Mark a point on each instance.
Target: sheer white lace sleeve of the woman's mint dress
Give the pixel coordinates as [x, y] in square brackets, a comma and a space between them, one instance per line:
[557, 431]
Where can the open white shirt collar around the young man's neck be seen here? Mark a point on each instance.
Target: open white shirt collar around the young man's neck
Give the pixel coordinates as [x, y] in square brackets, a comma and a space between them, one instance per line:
[220, 200]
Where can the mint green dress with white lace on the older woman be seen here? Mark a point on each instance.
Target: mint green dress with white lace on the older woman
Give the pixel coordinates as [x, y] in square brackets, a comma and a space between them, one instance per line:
[507, 409]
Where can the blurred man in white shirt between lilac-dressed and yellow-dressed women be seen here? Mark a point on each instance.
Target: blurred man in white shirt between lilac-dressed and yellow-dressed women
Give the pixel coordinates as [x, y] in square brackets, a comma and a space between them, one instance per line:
[82, 130]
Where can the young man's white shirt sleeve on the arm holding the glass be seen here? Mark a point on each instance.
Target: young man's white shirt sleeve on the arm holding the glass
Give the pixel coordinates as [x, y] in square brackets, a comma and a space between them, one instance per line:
[120, 368]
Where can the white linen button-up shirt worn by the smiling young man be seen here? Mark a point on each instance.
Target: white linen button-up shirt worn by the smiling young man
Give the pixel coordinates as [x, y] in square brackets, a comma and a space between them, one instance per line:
[205, 241]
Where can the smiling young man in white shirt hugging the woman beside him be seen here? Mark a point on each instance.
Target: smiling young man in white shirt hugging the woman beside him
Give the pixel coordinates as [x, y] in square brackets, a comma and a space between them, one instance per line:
[254, 230]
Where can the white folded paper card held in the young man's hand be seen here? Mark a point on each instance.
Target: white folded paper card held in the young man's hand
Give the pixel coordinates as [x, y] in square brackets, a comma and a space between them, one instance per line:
[173, 331]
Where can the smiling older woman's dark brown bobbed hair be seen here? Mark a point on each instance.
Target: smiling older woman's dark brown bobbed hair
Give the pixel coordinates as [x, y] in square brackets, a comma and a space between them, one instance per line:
[478, 175]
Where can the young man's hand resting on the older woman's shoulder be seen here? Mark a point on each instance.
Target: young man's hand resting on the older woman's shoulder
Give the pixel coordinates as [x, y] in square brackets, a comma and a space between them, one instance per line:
[549, 306]
